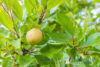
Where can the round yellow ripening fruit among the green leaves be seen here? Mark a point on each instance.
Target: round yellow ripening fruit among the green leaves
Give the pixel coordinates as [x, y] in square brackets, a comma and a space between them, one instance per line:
[34, 36]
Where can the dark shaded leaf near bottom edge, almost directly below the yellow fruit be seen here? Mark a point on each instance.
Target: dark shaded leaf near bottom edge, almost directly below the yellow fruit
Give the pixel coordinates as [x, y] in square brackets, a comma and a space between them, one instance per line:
[44, 60]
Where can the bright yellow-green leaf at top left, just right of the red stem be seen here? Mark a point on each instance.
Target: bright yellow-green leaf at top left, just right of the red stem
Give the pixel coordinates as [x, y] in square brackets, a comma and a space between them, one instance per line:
[15, 6]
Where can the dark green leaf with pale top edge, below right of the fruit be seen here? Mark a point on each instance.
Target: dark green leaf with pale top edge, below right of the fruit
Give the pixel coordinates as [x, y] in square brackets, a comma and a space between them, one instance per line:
[51, 49]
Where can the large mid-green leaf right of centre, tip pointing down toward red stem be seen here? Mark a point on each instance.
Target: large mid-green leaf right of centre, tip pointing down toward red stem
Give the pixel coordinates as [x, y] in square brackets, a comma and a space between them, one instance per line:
[65, 22]
